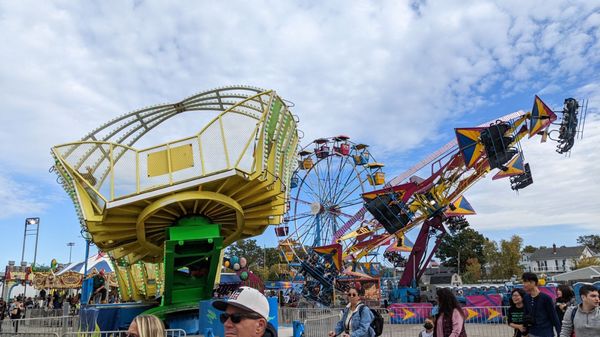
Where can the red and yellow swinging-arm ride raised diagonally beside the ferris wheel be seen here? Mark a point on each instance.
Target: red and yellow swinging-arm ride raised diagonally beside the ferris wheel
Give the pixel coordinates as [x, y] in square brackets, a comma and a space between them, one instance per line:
[437, 201]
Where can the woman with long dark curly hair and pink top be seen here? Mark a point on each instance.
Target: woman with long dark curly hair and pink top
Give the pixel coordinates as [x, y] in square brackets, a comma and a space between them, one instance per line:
[450, 320]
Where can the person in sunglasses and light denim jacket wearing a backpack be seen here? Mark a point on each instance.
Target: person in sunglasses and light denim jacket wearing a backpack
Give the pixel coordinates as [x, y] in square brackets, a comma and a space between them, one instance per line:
[356, 318]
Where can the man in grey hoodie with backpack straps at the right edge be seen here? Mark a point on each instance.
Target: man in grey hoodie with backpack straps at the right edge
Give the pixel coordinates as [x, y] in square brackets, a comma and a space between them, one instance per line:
[585, 321]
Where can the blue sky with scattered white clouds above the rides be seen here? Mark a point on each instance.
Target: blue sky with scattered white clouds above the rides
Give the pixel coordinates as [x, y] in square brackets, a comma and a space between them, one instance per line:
[398, 75]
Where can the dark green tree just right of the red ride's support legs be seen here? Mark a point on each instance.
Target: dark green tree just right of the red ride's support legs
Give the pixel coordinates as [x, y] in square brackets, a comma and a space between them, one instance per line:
[468, 242]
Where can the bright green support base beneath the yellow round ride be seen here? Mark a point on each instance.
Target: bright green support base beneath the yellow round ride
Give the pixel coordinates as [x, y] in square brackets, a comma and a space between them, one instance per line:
[193, 243]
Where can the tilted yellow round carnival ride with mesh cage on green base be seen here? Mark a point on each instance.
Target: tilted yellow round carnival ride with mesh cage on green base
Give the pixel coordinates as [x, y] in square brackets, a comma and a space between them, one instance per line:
[170, 209]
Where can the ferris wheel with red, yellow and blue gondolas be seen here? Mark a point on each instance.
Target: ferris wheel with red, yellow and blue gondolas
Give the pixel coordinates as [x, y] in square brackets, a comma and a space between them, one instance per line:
[325, 195]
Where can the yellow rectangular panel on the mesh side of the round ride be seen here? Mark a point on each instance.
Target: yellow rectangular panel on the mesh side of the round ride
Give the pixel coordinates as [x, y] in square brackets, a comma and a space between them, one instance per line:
[181, 158]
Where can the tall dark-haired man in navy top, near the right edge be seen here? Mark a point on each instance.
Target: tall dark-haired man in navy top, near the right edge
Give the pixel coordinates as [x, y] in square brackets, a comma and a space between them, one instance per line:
[540, 317]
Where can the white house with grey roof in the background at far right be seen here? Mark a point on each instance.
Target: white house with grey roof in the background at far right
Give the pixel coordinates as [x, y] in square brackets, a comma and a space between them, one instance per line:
[554, 260]
